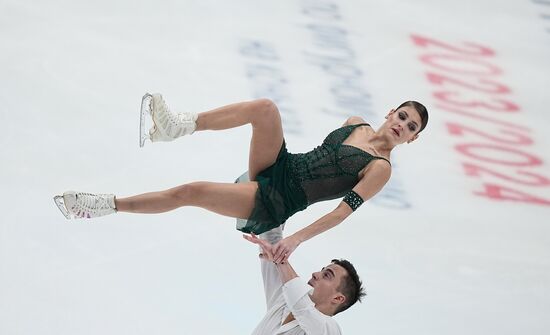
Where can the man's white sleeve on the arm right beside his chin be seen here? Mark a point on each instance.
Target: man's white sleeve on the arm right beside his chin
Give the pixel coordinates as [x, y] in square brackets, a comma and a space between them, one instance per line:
[296, 295]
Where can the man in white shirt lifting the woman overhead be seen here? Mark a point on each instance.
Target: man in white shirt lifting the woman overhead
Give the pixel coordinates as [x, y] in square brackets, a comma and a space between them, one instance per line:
[296, 308]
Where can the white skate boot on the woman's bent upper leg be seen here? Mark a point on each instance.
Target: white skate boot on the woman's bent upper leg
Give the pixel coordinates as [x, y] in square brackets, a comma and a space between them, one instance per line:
[167, 126]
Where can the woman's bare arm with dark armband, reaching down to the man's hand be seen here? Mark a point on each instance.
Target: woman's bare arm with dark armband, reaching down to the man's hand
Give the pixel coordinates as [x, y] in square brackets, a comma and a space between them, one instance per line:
[370, 184]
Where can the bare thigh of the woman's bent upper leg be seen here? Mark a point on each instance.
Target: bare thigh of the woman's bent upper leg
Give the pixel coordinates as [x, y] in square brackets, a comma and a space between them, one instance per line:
[267, 138]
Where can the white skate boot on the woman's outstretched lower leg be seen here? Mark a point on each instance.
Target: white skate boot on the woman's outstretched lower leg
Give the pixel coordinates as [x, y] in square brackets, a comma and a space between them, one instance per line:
[79, 205]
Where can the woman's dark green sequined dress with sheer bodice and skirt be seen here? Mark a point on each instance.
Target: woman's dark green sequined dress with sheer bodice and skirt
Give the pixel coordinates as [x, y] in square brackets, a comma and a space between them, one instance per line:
[296, 181]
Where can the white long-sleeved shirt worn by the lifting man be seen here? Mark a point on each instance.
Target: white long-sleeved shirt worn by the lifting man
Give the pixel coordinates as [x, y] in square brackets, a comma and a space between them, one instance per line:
[292, 297]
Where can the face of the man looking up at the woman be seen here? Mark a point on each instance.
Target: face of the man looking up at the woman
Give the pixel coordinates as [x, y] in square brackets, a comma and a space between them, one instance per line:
[325, 284]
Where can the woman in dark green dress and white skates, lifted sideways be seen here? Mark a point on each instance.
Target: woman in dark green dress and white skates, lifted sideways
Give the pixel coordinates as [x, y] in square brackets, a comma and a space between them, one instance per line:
[352, 162]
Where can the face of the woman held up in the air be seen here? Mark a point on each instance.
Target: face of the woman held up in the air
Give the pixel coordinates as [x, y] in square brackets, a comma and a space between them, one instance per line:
[403, 124]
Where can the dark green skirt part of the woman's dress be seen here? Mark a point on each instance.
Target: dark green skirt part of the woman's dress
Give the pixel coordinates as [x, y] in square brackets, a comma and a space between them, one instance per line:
[278, 197]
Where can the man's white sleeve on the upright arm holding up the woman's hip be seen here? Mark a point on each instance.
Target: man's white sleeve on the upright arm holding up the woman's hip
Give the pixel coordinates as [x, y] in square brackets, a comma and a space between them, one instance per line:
[270, 274]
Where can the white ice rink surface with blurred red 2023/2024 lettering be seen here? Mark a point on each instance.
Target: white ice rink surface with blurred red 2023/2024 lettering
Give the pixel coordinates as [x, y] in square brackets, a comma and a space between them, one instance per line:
[457, 243]
